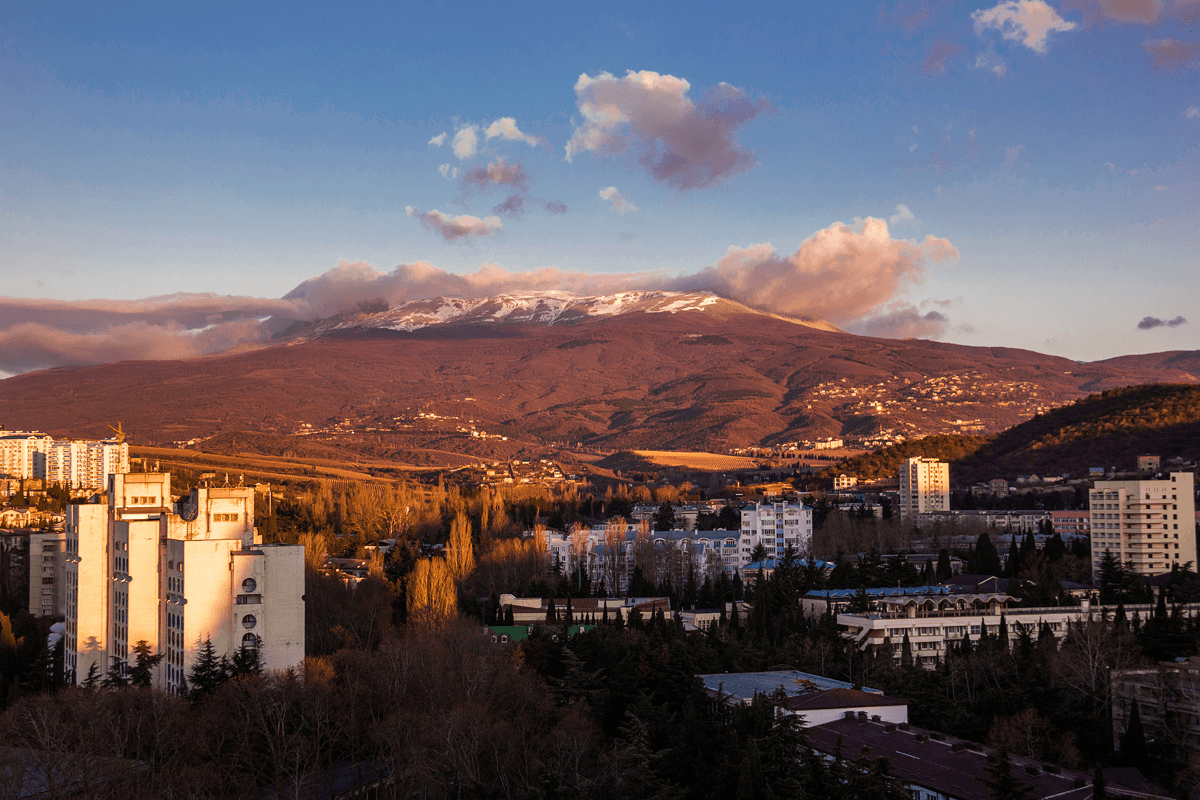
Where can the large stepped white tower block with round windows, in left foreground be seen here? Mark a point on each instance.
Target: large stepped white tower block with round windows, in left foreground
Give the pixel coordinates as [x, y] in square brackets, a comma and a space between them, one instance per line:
[141, 567]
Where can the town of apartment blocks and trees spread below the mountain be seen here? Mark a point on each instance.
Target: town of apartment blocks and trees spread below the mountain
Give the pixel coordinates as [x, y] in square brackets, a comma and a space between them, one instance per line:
[875, 616]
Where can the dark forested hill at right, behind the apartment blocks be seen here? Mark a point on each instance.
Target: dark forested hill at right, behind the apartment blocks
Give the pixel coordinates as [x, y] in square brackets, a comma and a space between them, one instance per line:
[1107, 430]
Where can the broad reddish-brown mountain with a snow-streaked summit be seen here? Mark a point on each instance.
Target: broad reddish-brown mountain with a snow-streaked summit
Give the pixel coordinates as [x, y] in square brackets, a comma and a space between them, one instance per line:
[681, 371]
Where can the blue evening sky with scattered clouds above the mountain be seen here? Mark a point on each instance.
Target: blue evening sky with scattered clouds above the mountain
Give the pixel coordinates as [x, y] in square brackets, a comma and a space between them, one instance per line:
[1005, 175]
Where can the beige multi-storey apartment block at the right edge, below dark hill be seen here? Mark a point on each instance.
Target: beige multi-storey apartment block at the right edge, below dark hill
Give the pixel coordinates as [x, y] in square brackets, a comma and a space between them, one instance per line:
[1148, 524]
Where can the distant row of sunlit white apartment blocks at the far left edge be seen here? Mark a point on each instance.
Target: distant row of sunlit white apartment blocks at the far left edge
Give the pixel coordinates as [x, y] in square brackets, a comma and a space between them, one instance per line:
[73, 464]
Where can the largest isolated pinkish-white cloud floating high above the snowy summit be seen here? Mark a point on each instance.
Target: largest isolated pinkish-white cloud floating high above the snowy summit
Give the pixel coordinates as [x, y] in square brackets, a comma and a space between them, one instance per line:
[651, 118]
